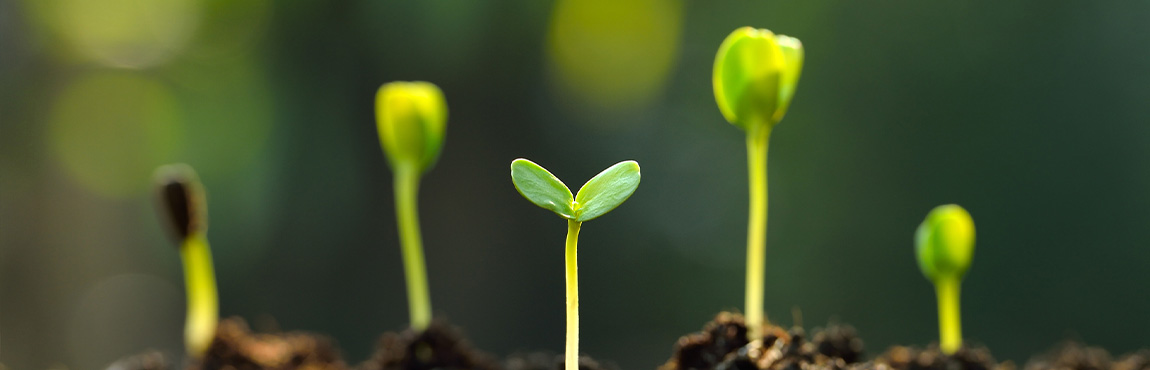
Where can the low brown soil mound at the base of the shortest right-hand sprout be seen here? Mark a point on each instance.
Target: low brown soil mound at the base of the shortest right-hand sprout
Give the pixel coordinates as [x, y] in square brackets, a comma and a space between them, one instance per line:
[968, 358]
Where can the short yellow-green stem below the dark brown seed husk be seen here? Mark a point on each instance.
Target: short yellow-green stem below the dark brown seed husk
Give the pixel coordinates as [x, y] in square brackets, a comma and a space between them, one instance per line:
[203, 303]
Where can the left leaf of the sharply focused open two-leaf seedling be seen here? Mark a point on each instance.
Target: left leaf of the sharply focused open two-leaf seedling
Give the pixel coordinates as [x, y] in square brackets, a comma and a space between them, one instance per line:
[543, 189]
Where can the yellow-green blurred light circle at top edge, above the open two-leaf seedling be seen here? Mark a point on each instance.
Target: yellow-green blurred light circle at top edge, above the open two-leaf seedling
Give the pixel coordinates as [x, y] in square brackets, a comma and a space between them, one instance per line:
[615, 55]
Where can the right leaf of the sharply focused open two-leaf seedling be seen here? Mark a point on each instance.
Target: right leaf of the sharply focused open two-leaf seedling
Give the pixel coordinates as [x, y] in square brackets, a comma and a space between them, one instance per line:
[607, 191]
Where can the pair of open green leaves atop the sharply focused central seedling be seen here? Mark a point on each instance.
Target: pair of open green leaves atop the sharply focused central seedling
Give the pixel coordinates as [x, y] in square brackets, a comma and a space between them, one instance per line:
[600, 196]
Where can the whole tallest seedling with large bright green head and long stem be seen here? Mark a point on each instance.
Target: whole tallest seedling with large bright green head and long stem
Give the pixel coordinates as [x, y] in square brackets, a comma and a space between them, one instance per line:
[755, 78]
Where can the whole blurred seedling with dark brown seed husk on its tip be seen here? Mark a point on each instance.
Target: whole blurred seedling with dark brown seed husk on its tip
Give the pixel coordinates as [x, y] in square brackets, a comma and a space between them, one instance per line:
[183, 206]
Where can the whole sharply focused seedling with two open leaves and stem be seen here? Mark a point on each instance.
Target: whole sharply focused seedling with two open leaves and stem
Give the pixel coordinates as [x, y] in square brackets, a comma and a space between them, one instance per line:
[600, 196]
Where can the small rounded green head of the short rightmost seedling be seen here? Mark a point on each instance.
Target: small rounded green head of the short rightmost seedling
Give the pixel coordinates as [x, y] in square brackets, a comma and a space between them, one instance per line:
[945, 243]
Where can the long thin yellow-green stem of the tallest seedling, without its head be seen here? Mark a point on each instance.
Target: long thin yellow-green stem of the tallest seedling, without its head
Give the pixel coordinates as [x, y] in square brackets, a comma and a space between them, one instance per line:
[757, 143]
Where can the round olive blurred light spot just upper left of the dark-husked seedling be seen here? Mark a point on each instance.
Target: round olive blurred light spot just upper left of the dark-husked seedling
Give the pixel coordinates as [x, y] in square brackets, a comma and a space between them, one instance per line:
[111, 130]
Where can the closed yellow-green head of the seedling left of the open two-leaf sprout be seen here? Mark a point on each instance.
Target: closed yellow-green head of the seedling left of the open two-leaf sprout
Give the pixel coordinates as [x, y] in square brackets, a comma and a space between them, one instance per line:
[412, 120]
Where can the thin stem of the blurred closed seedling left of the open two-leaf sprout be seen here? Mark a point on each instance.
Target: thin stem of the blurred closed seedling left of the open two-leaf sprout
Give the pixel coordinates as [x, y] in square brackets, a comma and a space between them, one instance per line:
[419, 300]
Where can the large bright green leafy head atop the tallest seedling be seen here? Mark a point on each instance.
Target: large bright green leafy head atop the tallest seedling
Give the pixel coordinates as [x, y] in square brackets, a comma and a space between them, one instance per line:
[755, 76]
